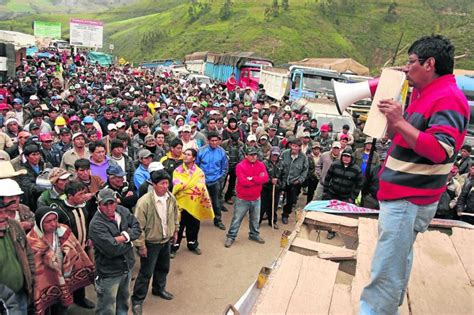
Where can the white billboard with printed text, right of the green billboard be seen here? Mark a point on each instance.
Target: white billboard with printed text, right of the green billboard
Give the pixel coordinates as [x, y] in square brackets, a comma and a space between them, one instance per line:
[86, 33]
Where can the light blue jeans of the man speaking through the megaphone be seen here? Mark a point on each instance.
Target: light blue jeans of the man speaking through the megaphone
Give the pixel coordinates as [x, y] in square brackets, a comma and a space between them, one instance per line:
[399, 223]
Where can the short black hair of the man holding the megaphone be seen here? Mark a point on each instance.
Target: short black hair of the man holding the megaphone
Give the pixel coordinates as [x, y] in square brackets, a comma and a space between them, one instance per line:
[438, 47]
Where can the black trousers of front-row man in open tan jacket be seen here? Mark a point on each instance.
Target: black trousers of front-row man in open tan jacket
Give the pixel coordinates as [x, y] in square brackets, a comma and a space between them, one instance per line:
[156, 265]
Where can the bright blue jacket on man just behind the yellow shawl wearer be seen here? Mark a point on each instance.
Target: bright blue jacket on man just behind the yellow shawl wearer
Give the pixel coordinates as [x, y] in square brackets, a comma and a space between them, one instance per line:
[213, 162]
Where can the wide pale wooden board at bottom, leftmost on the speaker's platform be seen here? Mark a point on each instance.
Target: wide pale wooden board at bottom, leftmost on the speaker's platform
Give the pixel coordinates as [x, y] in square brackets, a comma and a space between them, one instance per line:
[292, 289]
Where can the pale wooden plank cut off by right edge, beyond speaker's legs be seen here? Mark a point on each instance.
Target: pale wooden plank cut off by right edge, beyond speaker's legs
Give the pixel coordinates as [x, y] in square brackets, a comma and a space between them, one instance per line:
[463, 240]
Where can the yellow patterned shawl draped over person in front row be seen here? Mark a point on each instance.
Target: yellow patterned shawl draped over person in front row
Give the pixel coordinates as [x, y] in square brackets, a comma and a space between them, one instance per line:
[189, 188]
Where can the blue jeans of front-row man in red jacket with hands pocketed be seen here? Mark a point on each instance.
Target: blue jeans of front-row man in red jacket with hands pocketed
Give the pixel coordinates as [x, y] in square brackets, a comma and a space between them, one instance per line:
[241, 208]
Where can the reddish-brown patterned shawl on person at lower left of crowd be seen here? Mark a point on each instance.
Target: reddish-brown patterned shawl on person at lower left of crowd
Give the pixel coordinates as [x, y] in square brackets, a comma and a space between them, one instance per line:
[52, 285]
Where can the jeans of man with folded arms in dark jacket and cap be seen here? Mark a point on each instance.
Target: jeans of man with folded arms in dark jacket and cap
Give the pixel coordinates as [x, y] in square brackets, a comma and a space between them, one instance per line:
[113, 295]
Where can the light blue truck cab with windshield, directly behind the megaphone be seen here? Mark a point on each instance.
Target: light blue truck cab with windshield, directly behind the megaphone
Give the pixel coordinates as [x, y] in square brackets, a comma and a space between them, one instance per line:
[309, 82]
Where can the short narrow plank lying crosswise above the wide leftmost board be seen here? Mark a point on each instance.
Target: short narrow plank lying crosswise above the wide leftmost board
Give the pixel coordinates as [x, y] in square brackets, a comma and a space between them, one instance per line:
[324, 251]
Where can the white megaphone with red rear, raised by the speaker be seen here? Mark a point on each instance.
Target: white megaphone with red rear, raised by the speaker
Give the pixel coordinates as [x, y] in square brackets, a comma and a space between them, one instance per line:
[346, 94]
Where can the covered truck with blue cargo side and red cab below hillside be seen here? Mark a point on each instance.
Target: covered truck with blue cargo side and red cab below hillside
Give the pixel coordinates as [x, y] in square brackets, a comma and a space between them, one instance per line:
[245, 65]
